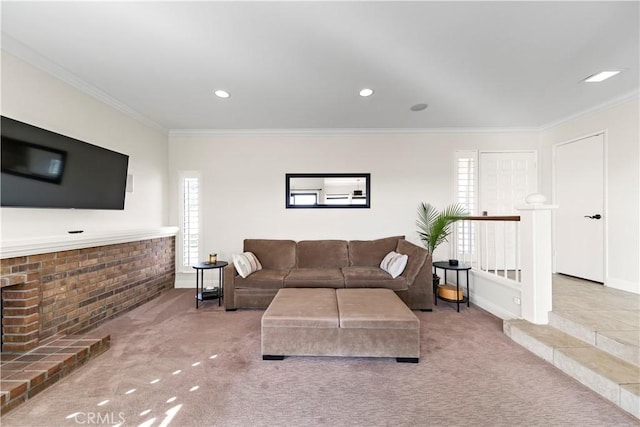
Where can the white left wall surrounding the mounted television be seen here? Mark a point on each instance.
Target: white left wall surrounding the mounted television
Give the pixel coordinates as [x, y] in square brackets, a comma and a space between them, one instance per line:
[35, 97]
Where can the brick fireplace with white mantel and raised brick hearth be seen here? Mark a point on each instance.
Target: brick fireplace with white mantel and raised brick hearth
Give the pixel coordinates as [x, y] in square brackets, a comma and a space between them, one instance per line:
[54, 291]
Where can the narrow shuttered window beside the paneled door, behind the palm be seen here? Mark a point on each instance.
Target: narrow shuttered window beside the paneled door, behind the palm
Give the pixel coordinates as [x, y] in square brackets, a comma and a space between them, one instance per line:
[466, 195]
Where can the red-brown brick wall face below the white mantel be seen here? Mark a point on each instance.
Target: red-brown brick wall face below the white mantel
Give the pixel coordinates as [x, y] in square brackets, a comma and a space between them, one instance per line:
[73, 291]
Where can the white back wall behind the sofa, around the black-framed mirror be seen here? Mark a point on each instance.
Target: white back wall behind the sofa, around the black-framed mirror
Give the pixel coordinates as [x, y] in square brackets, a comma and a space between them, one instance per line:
[243, 179]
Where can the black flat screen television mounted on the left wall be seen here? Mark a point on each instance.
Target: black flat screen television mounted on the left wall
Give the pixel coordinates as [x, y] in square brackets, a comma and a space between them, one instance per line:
[44, 169]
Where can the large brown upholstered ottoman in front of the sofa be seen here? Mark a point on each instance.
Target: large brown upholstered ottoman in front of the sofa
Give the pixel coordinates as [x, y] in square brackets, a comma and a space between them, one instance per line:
[340, 322]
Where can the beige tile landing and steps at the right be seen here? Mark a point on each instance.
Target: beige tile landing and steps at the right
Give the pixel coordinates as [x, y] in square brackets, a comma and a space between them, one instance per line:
[593, 336]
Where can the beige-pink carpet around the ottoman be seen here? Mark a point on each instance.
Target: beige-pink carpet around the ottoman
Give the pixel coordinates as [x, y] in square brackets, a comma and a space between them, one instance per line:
[172, 365]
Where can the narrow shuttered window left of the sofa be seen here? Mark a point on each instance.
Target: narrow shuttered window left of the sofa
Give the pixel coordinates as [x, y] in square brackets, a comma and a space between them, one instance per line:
[189, 219]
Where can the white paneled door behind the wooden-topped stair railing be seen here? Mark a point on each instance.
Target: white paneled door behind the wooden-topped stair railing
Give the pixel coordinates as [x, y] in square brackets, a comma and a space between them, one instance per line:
[506, 178]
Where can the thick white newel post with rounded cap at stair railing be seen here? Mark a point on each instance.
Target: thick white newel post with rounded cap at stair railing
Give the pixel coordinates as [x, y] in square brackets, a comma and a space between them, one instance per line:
[535, 232]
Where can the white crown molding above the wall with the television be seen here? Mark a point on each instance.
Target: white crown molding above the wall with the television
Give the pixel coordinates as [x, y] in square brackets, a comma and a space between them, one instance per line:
[28, 55]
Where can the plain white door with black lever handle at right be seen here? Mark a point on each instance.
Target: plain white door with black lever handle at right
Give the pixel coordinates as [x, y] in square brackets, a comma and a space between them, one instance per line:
[579, 194]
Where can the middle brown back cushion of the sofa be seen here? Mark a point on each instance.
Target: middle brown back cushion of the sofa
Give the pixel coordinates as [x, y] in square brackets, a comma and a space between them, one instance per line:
[323, 254]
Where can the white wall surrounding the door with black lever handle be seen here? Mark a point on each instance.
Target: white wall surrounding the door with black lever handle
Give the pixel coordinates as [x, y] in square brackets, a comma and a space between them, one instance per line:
[621, 124]
